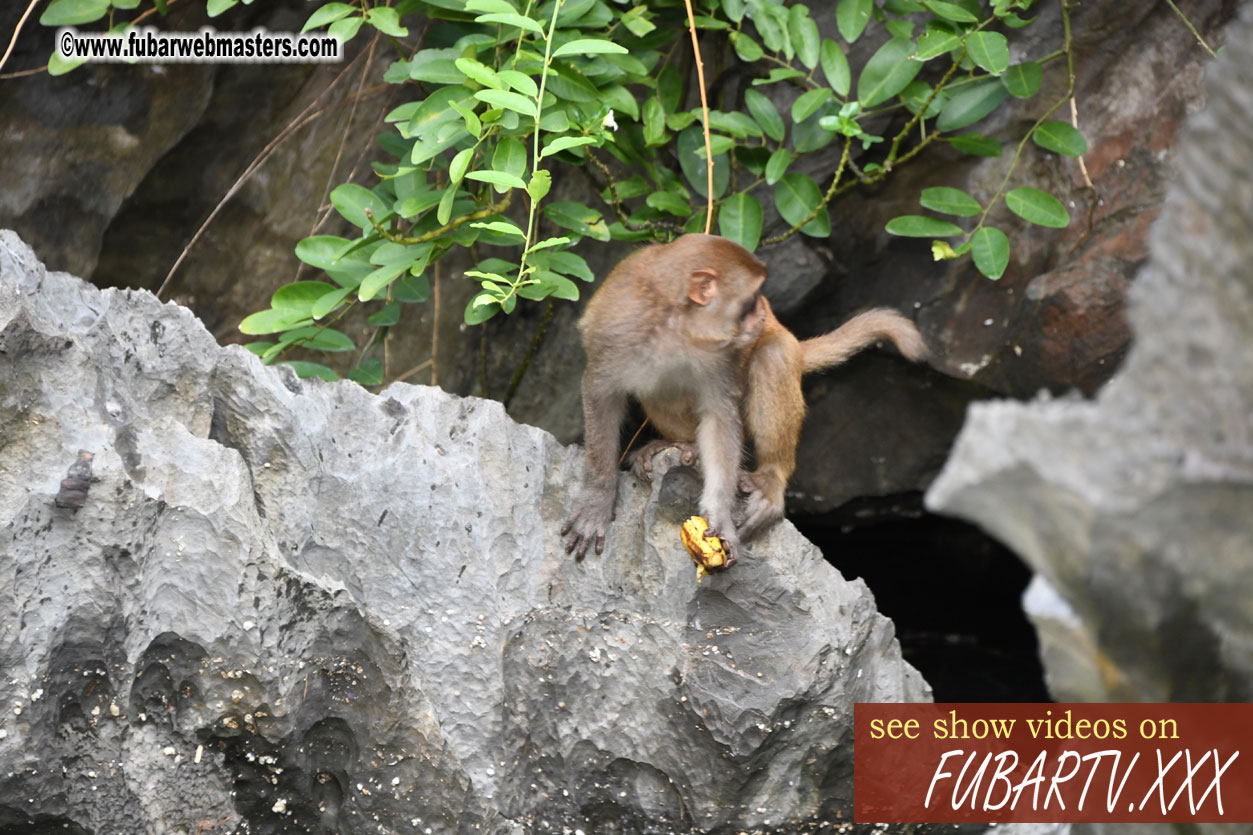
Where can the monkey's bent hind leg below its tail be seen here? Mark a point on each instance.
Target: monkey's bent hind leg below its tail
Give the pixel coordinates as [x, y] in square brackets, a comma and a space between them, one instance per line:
[775, 412]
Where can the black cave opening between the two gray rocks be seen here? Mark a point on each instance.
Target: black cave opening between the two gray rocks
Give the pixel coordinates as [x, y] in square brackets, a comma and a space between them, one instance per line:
[953, 591]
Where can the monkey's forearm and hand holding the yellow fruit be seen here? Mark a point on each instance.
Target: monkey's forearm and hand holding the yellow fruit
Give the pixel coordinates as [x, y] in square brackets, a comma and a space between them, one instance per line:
[720, 442]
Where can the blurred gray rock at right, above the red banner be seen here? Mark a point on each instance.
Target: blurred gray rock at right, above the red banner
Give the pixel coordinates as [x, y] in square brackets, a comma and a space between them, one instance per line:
[1135, 508]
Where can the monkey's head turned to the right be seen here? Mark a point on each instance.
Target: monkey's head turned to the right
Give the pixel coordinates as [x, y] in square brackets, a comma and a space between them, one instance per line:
[724, 290]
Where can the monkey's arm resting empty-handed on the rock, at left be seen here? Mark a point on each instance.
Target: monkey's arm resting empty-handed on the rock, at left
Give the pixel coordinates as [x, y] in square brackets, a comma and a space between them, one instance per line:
[603, 412]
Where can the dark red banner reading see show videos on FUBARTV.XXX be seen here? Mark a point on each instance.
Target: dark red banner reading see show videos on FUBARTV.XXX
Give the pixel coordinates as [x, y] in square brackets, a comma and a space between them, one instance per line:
[1127, 763]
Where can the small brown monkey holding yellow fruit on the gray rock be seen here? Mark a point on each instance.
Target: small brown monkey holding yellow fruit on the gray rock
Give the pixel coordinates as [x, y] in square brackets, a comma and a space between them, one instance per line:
[686, 330]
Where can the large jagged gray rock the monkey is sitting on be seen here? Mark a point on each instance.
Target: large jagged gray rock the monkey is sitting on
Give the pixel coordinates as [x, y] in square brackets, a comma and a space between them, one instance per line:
[293, 607]
